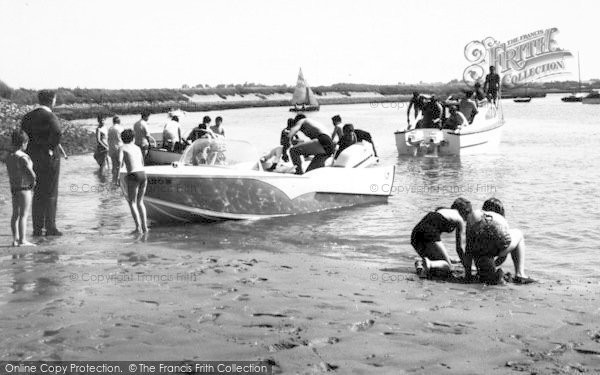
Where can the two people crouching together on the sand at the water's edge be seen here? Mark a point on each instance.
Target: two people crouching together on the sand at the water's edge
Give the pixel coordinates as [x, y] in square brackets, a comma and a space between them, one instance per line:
[483, 238]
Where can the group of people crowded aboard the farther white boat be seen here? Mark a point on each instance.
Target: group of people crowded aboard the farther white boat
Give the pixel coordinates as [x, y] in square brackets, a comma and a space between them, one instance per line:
[452, 114]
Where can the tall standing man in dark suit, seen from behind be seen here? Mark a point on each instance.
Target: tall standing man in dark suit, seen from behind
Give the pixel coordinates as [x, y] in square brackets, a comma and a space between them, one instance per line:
[43, 128]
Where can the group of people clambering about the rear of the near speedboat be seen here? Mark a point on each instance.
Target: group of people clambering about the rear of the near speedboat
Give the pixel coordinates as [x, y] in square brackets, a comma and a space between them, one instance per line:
[321, 143]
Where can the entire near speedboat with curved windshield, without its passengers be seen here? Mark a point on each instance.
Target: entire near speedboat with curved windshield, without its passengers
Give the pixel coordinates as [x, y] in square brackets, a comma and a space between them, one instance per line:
[223, 179]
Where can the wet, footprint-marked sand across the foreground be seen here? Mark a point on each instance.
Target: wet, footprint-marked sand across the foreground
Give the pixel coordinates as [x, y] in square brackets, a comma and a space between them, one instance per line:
[304, 313]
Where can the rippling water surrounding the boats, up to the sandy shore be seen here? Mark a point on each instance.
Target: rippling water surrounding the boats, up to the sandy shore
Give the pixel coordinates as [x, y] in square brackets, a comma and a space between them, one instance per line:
[545, 171]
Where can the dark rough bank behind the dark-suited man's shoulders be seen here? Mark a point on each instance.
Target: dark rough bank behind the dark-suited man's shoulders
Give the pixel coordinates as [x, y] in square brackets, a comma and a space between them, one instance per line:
[75, 140]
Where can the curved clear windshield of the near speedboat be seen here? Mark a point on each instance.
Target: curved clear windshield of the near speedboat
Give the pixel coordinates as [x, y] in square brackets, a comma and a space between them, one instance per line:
[221, 152]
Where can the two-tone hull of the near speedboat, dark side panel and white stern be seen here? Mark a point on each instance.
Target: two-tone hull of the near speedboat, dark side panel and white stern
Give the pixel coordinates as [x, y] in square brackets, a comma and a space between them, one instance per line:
[196, 193]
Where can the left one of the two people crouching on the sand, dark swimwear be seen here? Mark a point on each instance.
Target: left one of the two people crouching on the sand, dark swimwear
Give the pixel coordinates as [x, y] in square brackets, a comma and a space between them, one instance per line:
[427, 242]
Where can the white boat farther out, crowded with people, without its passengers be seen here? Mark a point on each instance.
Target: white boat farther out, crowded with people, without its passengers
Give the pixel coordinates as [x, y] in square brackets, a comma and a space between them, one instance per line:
[480, 136]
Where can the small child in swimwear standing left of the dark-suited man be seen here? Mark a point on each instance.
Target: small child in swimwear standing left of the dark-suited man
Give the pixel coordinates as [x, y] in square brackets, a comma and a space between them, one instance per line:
[22, 180]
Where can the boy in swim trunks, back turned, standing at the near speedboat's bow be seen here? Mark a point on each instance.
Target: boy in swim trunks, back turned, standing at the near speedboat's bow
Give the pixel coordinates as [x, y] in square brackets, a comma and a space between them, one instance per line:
[135, 180]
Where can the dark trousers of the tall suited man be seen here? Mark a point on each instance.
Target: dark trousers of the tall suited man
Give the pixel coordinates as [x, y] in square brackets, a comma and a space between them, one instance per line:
[45, 192]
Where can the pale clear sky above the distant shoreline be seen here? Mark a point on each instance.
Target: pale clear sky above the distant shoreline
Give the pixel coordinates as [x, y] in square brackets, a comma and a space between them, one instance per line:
[166, 44]
